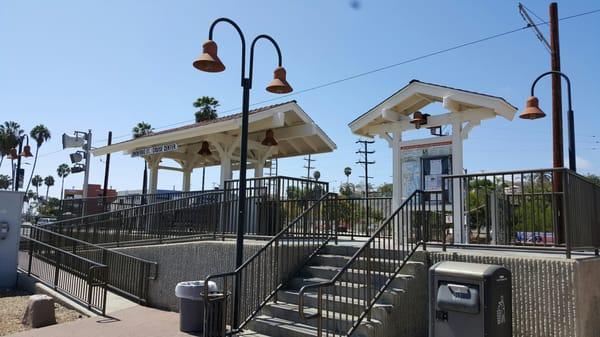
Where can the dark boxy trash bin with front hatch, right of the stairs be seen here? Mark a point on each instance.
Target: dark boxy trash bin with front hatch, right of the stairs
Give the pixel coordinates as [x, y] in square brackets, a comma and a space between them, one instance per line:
[469, 300]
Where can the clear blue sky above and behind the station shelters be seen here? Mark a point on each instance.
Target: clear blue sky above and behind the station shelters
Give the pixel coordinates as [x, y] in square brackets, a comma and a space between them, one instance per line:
[107, 65]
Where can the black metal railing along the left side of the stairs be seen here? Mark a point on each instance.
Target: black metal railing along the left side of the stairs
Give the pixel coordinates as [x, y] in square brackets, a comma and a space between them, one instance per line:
[256, 281]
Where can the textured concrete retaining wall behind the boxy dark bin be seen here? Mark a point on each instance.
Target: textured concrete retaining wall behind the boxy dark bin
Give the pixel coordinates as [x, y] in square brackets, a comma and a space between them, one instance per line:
[551, 296]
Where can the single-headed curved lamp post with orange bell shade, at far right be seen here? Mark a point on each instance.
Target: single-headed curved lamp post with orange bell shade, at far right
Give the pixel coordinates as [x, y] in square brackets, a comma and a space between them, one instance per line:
[532, 111]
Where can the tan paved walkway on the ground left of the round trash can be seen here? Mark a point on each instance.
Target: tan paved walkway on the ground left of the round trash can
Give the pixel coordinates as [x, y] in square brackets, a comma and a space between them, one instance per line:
[137, 321]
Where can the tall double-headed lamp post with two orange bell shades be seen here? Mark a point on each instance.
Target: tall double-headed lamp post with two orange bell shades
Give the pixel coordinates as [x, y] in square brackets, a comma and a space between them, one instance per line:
[210, 62]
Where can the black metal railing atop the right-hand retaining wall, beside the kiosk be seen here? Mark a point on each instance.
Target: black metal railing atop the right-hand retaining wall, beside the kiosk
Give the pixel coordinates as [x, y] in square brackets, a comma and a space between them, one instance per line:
[550, 208]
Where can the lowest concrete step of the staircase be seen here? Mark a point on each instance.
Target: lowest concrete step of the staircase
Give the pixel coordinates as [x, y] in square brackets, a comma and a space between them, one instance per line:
[279, 327]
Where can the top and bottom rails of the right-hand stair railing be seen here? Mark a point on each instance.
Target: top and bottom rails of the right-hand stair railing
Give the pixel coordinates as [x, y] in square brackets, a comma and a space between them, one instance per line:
[346, 267]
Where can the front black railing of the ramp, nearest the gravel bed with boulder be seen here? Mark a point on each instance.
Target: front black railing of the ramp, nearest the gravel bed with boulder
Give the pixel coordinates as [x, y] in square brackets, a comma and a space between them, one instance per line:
[77, 277]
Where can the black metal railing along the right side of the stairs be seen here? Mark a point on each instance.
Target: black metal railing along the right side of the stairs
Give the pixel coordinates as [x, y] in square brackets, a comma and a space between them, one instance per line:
[350, 295]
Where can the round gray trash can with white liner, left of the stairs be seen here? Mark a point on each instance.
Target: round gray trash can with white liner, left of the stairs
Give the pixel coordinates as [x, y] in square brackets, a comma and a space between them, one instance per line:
[191, 304]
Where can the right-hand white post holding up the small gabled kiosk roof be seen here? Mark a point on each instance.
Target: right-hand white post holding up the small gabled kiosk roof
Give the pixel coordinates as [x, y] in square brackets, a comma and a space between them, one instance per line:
[457, 168]
